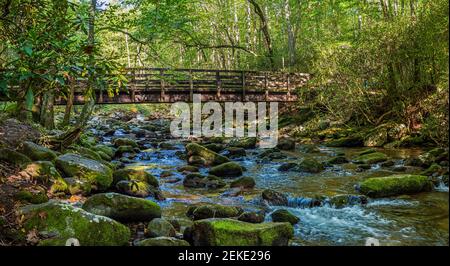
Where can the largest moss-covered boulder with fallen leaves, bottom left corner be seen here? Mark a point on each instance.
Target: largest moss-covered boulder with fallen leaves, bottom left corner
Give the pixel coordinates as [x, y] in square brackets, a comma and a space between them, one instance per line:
[63, 221]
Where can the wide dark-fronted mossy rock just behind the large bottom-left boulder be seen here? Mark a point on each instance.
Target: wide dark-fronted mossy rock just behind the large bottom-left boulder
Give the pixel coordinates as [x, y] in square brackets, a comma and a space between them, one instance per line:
[122, 208]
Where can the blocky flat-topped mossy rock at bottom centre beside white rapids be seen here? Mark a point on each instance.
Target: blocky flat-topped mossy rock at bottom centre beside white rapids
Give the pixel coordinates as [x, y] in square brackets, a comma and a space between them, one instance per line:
[229, 232]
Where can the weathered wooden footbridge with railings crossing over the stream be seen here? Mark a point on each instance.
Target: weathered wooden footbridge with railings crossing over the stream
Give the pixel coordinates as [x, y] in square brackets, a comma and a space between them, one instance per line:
[161, 85]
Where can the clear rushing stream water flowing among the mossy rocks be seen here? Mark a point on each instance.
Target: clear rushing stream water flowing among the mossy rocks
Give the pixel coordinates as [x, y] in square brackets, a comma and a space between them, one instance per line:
[420, 219]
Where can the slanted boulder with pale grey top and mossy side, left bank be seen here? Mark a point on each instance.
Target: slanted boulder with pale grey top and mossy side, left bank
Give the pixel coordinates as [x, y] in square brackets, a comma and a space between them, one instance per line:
[74, 165]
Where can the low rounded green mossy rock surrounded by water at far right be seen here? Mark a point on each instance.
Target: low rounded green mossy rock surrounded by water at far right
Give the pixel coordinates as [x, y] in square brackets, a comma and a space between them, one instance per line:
[395, 185]
